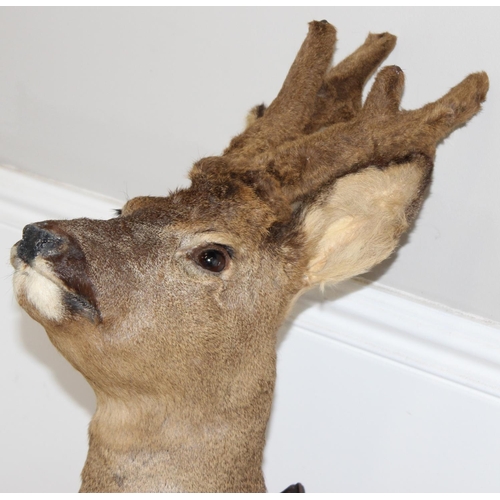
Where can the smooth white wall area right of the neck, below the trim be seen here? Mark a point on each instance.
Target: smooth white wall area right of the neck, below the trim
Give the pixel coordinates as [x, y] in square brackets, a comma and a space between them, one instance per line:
[347, 421]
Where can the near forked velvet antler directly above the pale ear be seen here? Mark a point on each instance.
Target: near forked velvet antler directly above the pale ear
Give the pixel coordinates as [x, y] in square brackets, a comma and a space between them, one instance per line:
[379, 135]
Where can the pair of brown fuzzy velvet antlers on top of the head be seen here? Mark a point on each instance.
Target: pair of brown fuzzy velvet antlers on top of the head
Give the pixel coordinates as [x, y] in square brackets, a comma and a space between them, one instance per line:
[302, 141]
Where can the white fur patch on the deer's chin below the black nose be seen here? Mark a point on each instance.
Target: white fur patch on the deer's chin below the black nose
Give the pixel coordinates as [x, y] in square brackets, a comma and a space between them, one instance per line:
[39, 291]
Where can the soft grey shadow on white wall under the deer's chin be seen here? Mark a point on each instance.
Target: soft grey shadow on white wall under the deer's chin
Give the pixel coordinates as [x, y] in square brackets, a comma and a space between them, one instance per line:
[38, 345]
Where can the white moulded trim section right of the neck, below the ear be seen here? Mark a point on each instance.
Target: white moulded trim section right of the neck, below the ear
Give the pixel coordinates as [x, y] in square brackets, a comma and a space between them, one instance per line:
[425, 336]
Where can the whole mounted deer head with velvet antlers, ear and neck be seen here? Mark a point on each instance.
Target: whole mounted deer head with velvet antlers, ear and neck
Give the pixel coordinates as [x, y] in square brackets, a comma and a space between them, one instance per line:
[170, 310]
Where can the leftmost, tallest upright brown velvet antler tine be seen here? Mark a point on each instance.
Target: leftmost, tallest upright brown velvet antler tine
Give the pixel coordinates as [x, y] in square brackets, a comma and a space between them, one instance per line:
[285, 118]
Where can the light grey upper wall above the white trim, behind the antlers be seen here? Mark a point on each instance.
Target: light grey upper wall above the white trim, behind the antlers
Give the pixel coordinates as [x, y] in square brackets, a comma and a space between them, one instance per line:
[122, 101]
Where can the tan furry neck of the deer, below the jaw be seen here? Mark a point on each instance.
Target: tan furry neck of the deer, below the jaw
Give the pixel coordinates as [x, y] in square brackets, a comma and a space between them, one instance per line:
[160, 445]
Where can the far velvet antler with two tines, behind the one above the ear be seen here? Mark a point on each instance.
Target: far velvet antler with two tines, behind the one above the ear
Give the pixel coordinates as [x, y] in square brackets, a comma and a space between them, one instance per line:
[312, 96]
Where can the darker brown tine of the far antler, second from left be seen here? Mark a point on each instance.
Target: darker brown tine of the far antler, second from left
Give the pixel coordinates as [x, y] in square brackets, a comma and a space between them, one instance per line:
[339, 98]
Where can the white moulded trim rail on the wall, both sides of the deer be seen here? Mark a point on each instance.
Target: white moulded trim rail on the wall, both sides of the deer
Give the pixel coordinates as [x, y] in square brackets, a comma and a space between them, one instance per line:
[396, 326]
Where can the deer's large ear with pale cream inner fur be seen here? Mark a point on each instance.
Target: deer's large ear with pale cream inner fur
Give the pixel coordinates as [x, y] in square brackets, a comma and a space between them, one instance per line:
[358, 222]
